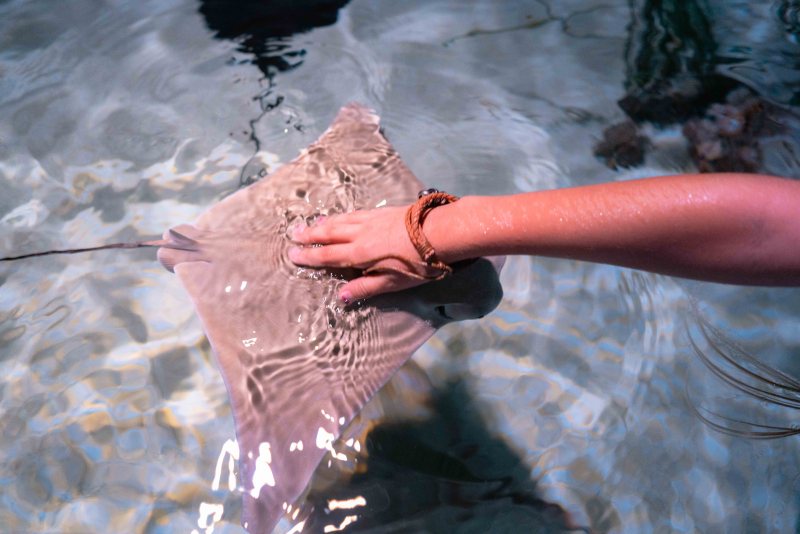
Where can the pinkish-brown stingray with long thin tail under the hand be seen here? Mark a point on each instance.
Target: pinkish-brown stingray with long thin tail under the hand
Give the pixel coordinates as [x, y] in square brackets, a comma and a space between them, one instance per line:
[298, 365]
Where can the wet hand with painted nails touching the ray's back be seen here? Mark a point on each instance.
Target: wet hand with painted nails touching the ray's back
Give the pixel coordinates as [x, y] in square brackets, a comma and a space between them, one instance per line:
[362, 240]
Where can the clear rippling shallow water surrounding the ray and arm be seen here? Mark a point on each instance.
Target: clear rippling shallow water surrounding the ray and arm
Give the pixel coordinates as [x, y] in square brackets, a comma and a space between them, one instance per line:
[121, 119]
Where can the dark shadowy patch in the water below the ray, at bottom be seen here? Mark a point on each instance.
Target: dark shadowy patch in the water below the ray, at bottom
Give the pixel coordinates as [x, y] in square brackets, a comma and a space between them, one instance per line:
[416, 475]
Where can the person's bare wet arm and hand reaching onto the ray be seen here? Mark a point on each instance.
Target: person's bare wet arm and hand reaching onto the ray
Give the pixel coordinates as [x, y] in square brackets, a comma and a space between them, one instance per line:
[730, 228]
